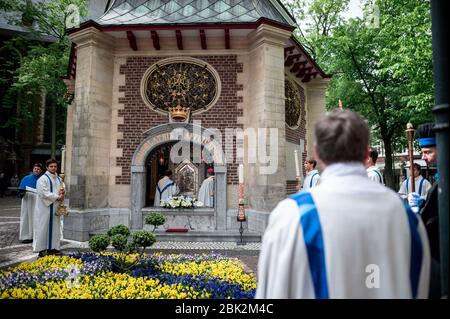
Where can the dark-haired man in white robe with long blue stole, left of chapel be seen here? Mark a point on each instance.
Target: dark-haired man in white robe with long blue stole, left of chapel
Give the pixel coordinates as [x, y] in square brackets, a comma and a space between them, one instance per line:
[47, 231]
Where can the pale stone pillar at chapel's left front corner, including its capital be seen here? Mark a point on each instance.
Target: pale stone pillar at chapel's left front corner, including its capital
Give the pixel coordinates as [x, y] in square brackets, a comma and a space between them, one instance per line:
[90, 141]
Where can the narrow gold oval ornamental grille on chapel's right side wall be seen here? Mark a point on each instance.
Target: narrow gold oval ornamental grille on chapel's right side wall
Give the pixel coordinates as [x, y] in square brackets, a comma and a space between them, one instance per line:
[294, 103]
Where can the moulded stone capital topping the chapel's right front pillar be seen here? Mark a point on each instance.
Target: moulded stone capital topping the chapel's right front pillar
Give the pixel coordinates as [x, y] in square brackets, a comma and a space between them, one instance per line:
[266, 34]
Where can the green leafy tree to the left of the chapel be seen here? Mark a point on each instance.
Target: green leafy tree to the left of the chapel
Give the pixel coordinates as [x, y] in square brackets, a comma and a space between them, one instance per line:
[44, 56]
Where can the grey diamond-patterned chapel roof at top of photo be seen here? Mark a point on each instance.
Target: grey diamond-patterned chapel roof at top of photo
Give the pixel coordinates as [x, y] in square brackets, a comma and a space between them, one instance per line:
[139, 12]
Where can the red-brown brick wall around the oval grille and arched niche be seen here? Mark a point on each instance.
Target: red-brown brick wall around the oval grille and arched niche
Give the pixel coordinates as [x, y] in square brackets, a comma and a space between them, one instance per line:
[138, 118]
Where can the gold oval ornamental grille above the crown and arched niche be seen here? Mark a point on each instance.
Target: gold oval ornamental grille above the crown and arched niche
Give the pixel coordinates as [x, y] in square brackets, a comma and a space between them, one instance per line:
[180, 84]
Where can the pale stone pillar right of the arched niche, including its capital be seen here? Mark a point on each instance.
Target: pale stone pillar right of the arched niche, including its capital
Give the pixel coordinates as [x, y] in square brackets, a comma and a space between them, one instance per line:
[265, 109]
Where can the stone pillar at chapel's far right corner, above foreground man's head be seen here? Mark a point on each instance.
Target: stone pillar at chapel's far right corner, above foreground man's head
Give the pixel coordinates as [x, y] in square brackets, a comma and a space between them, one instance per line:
[315, 107]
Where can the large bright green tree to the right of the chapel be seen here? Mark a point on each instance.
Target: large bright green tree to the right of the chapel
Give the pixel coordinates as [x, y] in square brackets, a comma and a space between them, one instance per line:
[382, 70]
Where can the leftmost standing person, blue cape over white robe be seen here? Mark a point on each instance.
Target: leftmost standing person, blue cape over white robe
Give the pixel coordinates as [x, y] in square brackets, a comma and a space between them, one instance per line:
[27, 191]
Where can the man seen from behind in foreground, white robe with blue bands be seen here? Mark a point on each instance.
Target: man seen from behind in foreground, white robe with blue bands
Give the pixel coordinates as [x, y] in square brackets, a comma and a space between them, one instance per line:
[348, 237]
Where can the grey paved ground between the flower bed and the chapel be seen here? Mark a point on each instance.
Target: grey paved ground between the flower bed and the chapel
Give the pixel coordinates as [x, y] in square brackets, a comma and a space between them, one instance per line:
[13, 252]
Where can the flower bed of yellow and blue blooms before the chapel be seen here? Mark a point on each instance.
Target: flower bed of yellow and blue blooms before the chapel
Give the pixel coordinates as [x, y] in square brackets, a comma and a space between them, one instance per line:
[92, 275]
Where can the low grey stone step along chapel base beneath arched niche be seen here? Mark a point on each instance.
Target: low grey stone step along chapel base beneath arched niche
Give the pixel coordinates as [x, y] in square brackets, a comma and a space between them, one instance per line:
[202, 236]
